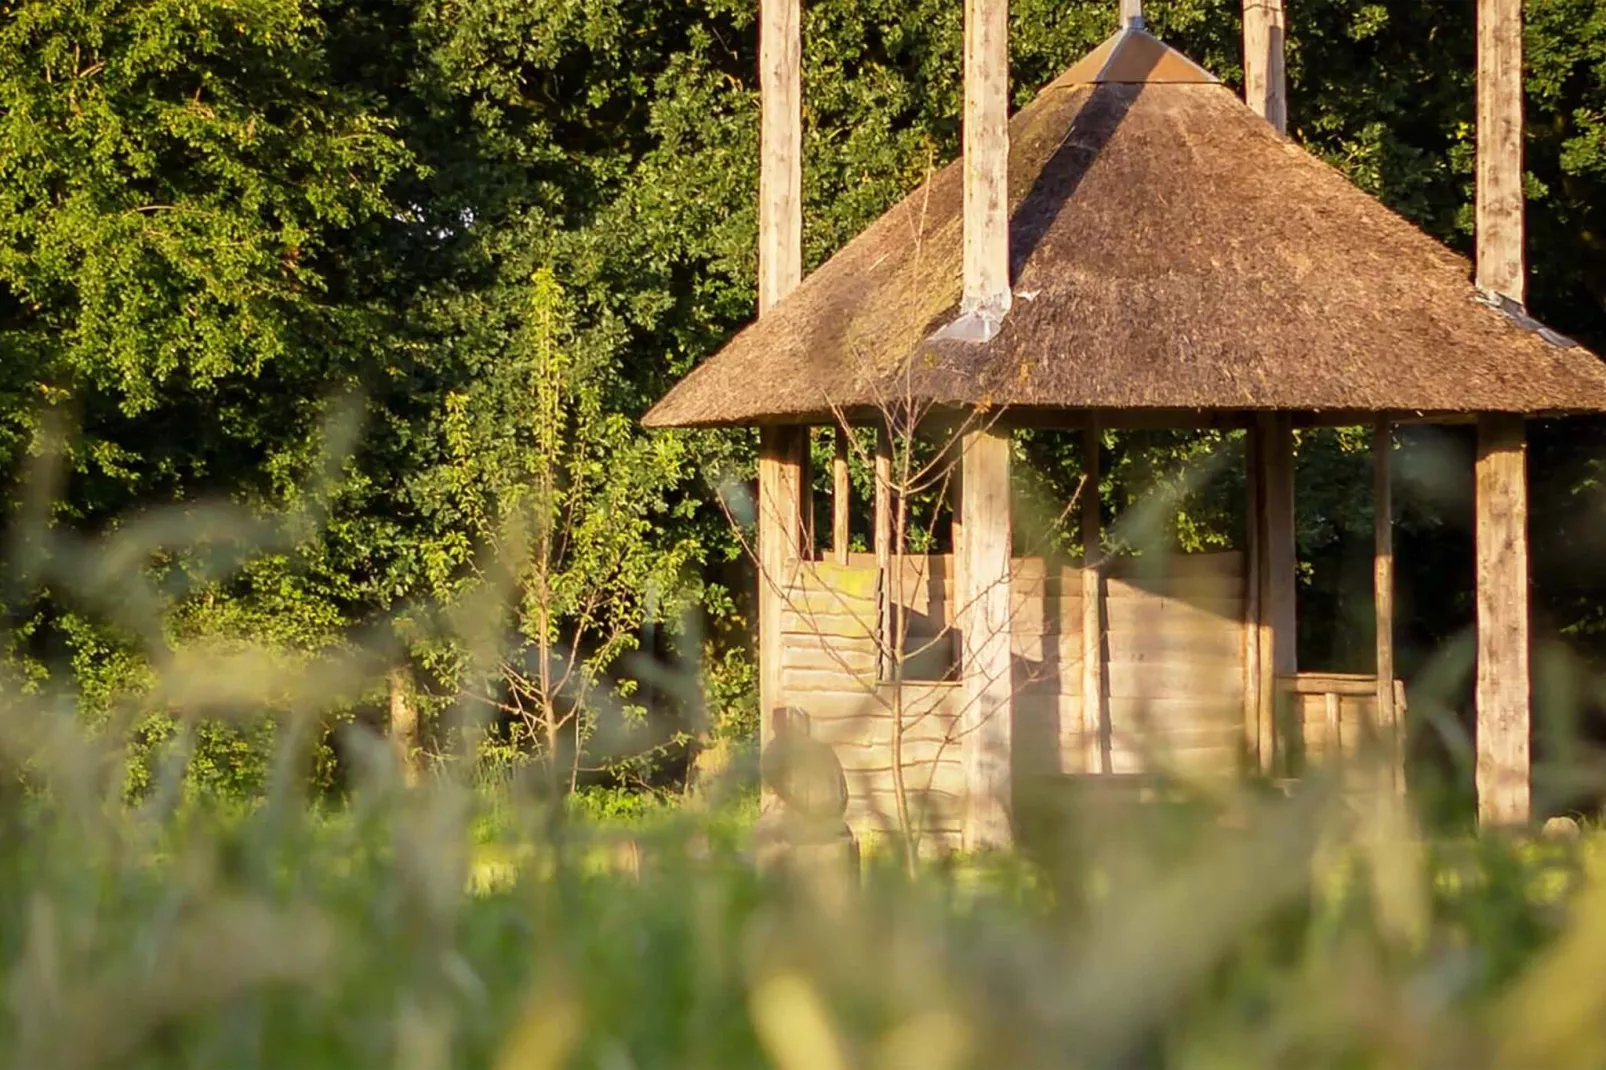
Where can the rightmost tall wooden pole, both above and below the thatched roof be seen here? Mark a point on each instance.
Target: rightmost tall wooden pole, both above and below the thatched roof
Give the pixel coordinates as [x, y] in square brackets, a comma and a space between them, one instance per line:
[1504, 696]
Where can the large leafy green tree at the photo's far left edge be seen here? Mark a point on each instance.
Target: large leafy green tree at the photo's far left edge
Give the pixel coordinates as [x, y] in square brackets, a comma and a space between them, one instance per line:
[179, 190]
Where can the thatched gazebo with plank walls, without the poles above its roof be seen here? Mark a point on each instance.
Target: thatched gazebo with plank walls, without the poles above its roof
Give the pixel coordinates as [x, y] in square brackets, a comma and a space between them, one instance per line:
[1172, 263]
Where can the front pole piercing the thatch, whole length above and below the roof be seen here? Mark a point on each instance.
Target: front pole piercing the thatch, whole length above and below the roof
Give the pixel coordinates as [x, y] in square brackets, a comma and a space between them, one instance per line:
[985, 536]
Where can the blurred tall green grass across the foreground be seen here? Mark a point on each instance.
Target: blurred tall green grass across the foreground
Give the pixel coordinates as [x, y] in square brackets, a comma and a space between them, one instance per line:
[1241, 933]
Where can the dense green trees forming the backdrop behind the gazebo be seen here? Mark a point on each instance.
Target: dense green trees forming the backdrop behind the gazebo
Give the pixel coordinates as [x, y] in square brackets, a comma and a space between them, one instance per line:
[275, 258]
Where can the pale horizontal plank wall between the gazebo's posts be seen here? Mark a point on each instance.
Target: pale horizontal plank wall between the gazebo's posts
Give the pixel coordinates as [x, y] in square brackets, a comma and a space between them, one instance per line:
[1175, 676]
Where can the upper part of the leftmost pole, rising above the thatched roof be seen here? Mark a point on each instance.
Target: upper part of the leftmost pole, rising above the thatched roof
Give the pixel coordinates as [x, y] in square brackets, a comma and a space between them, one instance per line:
[780, 150]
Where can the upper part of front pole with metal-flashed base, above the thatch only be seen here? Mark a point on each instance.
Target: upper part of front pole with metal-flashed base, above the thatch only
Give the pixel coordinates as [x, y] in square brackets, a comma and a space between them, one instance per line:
[987, 284]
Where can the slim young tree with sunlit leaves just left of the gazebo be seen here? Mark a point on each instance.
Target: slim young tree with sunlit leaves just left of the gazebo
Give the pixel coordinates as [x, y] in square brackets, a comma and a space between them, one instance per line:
[569, 505]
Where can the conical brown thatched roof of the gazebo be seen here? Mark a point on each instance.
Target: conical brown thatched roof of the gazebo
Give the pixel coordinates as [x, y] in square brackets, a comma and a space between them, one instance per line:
[1172, 255]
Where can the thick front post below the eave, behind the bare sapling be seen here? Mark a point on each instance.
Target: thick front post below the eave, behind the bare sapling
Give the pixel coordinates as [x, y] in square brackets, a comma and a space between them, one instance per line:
[987, 717]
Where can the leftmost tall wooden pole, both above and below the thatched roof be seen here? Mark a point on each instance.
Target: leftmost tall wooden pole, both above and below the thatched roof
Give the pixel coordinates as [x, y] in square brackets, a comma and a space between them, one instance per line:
[783, 452]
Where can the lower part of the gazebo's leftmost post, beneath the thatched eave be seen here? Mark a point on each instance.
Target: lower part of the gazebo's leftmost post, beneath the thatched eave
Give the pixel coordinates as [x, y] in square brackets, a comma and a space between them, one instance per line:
[783, 475]
